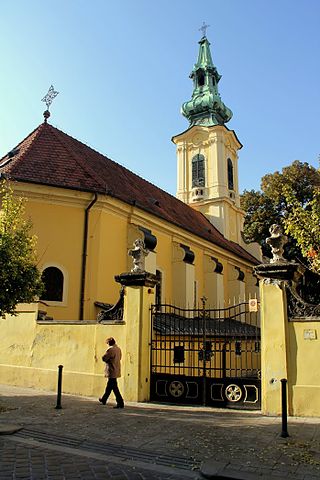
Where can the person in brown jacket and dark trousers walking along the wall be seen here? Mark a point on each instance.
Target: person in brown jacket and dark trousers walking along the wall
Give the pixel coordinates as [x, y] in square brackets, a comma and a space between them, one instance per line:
[112, 358]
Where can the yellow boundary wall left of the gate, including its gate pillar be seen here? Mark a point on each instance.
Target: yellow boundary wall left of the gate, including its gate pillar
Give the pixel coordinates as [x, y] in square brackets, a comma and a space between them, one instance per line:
[31, 351]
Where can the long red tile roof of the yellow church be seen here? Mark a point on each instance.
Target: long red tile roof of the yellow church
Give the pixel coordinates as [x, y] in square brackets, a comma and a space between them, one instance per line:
[49, 156]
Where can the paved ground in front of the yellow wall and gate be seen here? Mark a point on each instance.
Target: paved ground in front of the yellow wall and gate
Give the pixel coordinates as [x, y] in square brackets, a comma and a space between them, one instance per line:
[86, 440]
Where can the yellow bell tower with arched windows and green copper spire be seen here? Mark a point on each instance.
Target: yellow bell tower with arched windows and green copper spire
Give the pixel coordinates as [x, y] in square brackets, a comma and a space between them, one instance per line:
[208, 151]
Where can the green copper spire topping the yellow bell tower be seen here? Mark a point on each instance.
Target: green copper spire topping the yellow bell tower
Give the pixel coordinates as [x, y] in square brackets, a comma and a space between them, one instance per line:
[205, 107]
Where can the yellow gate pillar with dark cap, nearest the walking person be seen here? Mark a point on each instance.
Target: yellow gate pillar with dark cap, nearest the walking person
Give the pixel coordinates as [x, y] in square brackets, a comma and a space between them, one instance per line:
[139, 295]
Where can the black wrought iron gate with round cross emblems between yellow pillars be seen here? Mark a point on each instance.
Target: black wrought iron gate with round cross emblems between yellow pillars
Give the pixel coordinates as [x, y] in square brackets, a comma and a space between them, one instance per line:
[208, 357]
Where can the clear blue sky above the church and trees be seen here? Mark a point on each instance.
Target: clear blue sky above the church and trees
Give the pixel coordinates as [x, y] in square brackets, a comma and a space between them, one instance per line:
[122, 71]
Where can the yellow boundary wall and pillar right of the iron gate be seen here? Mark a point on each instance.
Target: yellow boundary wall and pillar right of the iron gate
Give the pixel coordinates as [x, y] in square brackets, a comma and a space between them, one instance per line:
[291, 350]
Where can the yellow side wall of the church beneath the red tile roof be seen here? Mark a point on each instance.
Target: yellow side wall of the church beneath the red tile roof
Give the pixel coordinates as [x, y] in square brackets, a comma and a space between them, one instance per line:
[58, 219]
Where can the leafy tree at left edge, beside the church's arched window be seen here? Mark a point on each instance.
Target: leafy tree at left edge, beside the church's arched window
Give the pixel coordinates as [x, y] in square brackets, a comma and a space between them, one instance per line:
[20, 280]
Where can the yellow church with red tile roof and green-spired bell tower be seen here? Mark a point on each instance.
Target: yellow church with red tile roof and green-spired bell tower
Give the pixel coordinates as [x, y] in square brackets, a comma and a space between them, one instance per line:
[87, 211]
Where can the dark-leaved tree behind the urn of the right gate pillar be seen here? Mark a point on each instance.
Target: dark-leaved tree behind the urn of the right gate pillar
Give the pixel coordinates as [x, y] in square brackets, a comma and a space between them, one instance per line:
[273, 204]
